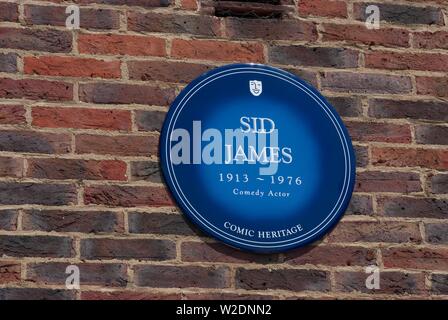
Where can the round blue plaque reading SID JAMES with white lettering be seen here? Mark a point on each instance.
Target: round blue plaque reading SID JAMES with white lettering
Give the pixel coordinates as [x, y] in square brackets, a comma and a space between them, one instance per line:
[257, 158]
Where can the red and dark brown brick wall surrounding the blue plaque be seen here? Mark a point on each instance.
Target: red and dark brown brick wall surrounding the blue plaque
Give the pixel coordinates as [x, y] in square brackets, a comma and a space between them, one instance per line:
[80, 115]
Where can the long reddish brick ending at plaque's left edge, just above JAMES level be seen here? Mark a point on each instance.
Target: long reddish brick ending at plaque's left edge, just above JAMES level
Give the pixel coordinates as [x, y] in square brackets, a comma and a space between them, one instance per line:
[123, 145]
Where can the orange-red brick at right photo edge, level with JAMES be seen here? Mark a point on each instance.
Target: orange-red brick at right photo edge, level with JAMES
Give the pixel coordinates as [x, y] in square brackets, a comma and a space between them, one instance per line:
[410, 157]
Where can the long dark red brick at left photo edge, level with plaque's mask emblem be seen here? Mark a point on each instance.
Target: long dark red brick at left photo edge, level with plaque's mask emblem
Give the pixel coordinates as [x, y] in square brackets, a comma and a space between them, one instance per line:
[35, 89]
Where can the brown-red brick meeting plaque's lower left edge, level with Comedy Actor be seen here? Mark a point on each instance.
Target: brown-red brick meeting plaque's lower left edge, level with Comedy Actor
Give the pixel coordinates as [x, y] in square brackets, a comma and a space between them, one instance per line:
[127, 196]
